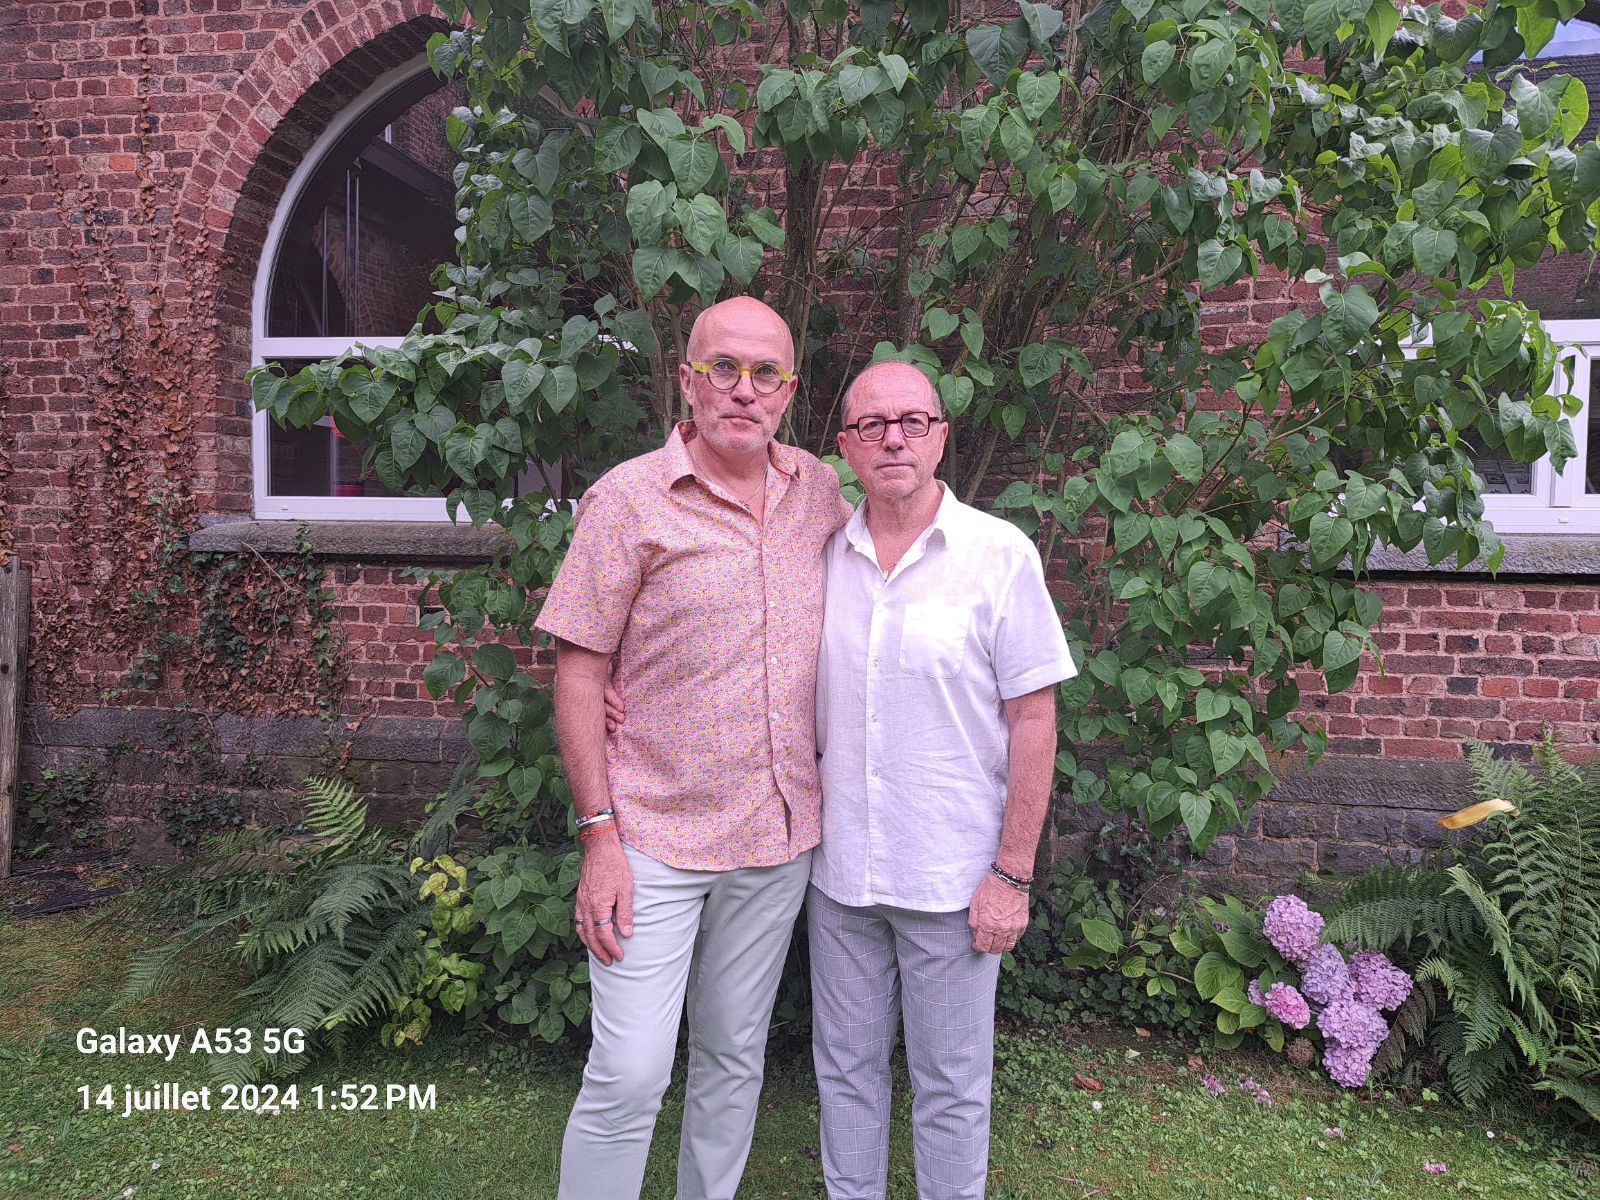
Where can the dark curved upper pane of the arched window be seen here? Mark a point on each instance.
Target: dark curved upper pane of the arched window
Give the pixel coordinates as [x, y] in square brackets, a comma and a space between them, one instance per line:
[372, 225]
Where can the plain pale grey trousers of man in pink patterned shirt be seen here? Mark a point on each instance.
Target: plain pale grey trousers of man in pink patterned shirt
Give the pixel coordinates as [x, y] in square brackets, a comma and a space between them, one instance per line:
[719, 938]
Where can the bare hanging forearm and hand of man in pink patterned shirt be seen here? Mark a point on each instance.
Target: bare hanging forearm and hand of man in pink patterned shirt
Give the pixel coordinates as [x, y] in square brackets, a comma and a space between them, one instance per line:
[606, 887]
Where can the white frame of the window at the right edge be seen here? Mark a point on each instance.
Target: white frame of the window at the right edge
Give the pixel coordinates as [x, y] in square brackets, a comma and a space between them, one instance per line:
[1558, 502]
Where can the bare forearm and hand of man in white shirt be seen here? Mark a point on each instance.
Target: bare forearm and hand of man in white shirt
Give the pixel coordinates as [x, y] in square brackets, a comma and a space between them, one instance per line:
[999, 913]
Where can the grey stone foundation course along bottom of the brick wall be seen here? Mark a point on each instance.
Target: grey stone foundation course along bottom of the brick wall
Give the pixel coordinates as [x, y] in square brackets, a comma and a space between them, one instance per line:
[1343, 817]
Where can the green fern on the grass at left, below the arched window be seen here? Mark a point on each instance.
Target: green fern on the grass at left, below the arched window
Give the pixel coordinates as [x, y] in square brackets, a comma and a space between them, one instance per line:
[326, 926]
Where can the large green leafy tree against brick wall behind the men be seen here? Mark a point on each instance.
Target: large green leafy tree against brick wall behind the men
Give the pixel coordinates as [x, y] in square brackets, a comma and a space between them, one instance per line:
[1071, 185]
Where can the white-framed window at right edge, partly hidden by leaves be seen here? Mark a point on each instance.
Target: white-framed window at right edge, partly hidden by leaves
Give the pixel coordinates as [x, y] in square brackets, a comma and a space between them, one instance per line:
[1535, 498]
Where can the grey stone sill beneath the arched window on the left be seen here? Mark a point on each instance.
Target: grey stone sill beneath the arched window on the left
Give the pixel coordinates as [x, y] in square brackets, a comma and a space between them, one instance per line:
[394, 542]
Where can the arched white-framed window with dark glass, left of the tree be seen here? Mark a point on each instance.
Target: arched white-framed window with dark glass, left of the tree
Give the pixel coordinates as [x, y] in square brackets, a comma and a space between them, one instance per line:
[346, 263]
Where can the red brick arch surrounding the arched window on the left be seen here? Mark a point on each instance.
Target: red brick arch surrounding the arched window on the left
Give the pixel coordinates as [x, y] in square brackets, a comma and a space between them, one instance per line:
[276, 113]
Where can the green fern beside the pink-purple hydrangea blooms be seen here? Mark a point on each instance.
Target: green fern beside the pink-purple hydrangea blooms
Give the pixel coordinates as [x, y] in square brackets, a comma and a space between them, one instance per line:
[1511, 932]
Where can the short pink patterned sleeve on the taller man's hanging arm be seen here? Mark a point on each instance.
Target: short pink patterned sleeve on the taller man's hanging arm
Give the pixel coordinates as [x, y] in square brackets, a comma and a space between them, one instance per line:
[594, 591]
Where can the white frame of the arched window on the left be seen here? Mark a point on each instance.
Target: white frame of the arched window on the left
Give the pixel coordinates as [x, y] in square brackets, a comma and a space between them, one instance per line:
[265, 350]
